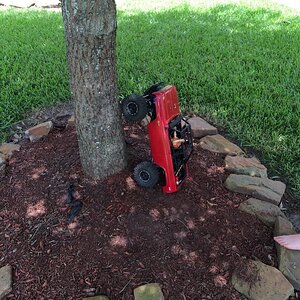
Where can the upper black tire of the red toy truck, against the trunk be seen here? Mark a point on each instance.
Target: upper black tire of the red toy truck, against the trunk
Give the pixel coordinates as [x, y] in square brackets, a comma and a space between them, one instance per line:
[134, 108]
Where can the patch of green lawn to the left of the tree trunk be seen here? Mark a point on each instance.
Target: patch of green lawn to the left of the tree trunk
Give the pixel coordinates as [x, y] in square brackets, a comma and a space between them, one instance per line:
[33, 71]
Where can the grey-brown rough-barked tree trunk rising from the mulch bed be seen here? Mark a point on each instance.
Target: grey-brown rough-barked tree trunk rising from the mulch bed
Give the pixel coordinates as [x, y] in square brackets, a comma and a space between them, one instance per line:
[90, 31]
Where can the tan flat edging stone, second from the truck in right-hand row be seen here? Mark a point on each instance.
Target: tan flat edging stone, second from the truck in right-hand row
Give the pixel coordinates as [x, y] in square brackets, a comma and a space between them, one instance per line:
[217, 143]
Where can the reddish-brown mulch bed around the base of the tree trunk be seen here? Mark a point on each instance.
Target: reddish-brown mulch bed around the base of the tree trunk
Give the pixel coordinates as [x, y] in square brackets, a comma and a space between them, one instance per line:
[125, 236]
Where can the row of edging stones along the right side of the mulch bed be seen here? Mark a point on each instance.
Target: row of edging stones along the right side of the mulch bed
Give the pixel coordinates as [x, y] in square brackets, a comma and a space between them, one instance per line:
[248, 176]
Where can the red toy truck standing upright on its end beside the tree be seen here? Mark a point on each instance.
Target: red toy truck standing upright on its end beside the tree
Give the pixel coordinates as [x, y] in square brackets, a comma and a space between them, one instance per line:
[169, 135]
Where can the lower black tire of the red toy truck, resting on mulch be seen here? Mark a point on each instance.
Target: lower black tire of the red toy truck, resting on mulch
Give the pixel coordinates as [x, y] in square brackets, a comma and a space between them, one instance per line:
[146, 174]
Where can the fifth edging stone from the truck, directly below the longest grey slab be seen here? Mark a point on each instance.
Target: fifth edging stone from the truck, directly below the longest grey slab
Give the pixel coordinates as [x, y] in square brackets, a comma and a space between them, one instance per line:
[264, 211]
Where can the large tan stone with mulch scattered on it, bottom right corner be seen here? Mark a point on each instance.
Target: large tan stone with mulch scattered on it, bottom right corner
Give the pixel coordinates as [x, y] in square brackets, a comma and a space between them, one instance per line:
[259, 281]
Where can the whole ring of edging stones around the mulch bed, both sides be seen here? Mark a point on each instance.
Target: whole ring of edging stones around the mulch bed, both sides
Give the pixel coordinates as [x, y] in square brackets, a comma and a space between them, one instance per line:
[248, 176]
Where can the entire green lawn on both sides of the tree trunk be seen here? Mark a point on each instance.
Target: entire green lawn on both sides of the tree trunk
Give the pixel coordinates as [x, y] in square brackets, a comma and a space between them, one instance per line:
[236, 65]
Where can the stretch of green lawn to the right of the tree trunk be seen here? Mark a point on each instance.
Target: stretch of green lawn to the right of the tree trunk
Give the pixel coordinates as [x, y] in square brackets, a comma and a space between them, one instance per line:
[238, 67]
